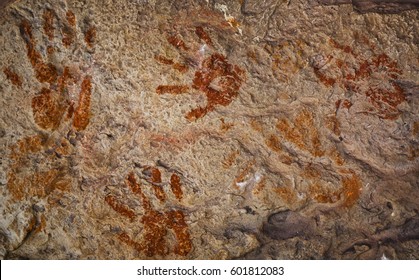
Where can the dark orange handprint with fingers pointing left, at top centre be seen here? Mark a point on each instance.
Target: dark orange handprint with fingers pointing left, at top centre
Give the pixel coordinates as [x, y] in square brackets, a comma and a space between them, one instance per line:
[219, 80]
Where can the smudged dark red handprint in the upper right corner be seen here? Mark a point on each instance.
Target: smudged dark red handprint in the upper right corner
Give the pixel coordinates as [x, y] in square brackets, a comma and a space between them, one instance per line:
[371, 75]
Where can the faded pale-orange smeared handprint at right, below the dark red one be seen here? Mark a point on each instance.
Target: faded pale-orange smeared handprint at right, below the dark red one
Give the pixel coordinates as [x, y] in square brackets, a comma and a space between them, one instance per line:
[310, 181]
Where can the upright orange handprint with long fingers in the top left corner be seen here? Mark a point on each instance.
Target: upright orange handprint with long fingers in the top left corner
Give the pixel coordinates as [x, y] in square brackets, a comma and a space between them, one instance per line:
[54, 103]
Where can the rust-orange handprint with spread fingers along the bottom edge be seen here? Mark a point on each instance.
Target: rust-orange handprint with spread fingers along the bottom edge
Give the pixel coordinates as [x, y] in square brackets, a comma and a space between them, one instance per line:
[156, 224]
